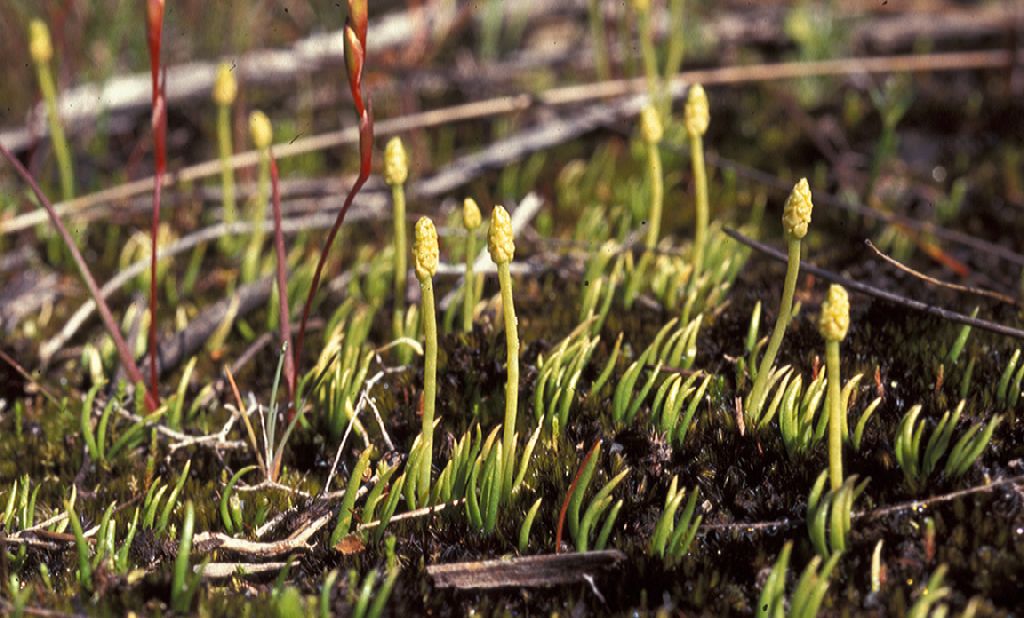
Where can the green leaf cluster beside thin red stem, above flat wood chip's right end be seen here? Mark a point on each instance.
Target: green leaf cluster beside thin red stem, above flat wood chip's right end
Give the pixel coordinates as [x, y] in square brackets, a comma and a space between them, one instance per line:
[603, 505]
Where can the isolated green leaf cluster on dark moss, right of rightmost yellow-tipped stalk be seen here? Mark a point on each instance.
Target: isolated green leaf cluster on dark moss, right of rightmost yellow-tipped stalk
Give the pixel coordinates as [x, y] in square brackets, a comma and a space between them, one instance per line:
[919, 459]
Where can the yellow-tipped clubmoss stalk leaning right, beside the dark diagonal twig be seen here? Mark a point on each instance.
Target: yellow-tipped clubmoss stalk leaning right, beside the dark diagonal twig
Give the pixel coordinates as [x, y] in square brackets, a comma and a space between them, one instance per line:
[796, 218]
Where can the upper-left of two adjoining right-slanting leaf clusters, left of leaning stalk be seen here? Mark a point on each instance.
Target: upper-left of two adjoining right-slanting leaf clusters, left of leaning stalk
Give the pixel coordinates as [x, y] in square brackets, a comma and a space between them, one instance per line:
[673, 347]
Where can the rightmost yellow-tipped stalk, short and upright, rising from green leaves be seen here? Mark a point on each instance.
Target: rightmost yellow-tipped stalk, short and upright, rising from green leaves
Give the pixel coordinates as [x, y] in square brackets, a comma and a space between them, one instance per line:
[834, 325]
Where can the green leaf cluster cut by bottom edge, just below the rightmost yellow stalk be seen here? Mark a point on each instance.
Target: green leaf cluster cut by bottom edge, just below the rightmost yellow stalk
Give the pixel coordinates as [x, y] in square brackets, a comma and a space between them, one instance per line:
[807, 597]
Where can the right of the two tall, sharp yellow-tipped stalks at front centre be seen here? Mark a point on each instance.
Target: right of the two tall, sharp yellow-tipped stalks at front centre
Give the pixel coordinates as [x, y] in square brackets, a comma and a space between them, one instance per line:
[501, 244]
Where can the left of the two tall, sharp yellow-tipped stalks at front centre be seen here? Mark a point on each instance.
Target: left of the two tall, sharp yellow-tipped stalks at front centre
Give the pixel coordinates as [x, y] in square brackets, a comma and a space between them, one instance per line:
[426, 258]
